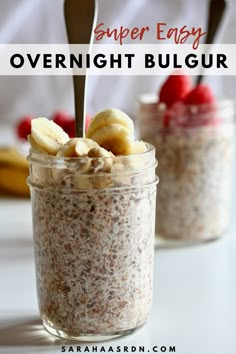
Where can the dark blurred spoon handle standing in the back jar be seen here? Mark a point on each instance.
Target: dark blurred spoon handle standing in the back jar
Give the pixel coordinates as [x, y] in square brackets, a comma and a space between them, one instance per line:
[216, 11]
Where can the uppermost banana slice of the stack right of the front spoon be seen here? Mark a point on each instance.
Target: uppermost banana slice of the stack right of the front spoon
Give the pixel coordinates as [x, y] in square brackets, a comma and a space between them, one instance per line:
[108, 117]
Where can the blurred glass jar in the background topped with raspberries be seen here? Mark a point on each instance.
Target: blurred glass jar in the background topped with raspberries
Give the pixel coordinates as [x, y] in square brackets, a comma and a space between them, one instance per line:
[194, 146]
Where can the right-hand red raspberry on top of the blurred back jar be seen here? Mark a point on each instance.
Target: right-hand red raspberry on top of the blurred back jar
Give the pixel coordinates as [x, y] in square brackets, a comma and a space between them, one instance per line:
[199, 95]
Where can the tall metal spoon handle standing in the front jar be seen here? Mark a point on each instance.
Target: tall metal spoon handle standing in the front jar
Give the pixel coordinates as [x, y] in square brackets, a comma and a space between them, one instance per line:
[80, 18]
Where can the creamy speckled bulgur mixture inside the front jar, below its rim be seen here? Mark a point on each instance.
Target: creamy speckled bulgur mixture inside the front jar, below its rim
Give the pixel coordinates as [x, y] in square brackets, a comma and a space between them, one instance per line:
[94, 258]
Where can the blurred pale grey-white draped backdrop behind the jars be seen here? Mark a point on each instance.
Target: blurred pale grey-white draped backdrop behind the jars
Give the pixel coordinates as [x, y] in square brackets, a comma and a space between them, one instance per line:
[27, 21]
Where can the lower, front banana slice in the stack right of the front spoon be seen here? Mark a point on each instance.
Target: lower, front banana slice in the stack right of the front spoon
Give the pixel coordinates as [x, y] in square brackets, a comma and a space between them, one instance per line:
[114, 138]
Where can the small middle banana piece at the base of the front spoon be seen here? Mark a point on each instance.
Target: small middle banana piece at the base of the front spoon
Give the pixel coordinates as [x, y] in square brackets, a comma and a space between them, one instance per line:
[77, 147]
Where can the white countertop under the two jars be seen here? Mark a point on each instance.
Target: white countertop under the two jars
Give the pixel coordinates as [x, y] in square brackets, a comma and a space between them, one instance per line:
[194, 305]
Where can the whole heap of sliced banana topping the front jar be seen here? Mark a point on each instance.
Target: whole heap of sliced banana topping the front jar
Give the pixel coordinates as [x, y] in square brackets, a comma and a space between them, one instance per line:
[103, 153]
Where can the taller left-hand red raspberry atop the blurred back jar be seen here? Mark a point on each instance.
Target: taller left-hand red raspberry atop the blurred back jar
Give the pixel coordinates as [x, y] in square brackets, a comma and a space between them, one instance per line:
[174, 89]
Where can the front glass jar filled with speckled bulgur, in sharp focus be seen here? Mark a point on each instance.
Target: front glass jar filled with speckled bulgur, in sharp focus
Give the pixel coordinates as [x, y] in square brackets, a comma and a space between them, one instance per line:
[93, 242]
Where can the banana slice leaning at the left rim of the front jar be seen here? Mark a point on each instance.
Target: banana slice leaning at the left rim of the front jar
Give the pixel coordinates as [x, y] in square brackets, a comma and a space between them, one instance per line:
[48, 135]
